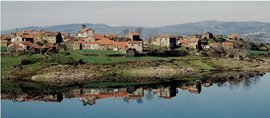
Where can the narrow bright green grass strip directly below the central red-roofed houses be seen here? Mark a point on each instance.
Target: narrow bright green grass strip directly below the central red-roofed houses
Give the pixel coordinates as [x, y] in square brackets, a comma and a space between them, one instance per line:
[100, 52]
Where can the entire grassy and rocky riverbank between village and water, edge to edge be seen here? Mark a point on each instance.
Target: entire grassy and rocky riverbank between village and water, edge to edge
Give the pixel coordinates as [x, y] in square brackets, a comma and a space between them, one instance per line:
[141, 71]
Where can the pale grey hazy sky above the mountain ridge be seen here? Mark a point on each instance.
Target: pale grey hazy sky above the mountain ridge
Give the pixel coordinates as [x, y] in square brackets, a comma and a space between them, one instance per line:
[147, 14]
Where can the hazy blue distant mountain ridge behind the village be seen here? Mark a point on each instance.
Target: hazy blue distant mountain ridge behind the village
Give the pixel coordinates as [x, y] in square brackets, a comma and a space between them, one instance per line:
[251, 29]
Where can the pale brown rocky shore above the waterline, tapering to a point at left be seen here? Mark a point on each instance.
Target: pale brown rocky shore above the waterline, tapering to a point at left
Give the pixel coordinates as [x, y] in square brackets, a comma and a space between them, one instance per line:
[148, 71]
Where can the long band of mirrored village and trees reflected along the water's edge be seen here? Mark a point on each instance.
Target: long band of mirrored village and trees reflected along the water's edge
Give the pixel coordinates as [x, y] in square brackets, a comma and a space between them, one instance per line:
[165, 90]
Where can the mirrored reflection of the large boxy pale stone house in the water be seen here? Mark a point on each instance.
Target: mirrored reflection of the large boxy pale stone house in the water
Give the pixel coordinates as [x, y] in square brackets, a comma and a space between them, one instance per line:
[165, 92]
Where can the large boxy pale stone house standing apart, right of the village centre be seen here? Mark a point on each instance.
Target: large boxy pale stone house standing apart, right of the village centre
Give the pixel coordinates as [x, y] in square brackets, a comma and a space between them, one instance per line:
[167, 41]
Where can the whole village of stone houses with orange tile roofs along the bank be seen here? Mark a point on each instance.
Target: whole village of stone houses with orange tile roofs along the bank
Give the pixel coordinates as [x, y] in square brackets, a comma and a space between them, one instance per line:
[43, 42]
